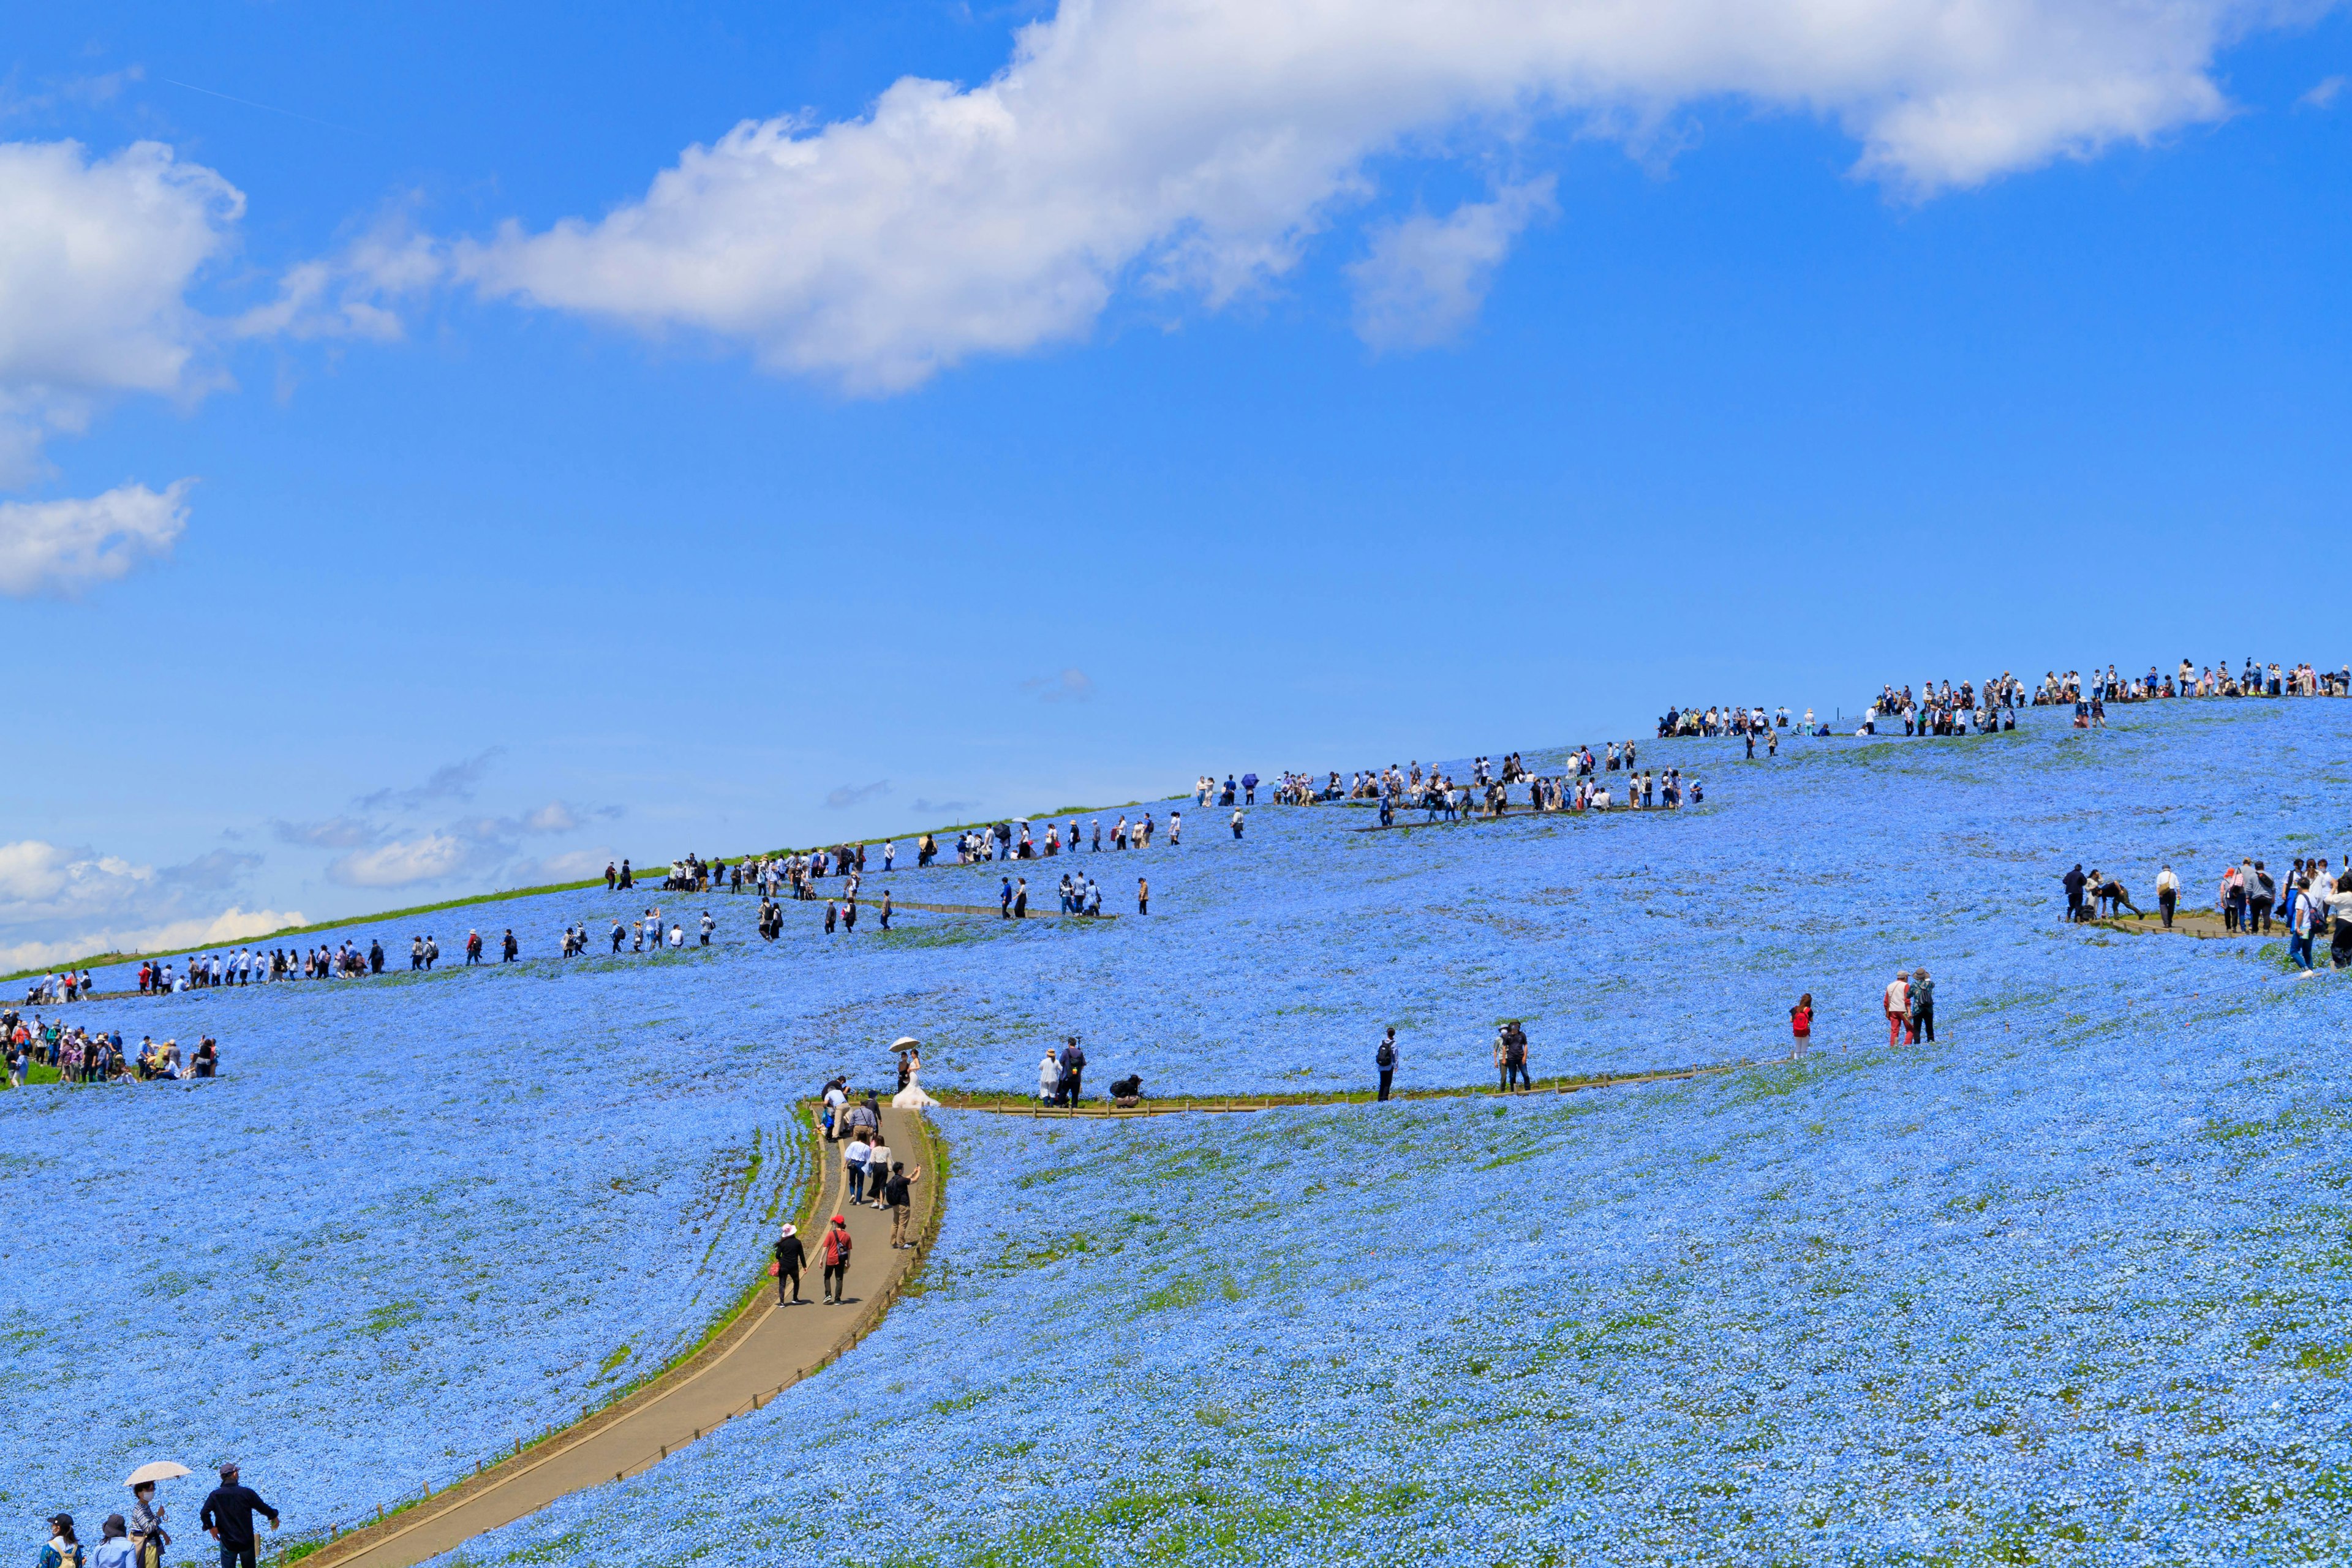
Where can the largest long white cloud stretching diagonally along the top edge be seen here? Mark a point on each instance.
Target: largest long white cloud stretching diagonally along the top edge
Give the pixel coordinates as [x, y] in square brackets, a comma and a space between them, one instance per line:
[1201, 145]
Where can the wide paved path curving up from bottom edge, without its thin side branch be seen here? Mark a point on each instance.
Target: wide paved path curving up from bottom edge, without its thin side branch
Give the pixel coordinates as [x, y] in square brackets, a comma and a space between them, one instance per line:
[761, 1355]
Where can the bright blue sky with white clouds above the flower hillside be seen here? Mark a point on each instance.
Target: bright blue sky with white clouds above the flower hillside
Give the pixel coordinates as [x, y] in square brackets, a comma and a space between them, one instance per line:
[1212, 396]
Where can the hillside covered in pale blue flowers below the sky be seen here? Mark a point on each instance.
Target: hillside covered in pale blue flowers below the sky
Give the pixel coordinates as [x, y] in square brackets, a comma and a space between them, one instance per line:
[2066, 1285]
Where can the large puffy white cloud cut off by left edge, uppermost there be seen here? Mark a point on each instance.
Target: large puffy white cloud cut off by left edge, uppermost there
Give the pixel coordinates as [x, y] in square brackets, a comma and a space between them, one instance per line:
[95, 269]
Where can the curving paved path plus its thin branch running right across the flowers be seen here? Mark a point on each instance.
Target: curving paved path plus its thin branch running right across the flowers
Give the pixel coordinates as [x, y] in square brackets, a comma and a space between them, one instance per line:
[773, 1348]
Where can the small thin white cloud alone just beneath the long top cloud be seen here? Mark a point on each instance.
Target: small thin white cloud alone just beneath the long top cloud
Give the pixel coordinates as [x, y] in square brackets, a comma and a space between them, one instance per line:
[1426, 279]
